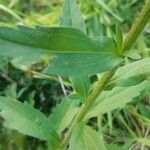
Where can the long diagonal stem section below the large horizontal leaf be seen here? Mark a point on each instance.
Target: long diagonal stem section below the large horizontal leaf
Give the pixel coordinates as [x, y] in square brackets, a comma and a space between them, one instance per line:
[89, 101]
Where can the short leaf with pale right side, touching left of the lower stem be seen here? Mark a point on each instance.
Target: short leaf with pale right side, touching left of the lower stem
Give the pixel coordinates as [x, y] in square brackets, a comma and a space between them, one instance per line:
[64, 112]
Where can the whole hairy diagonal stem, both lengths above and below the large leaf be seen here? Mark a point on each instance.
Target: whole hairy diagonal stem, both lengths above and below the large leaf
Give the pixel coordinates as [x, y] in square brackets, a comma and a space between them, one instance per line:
[136, 29]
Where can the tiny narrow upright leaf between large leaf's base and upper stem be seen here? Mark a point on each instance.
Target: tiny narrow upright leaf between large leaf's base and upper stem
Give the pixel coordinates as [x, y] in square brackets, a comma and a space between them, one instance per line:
[119, 38]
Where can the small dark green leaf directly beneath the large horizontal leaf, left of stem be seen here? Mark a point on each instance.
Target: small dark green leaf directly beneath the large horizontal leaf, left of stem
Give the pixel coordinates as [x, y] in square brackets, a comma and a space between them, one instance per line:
[81, 85]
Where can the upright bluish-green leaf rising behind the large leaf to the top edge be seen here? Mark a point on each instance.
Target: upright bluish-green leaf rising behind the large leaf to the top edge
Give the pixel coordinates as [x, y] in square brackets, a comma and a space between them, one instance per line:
[71, 16]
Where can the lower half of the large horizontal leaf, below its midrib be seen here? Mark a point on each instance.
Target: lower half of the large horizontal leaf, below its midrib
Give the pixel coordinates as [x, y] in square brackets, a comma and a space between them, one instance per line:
[81, 64]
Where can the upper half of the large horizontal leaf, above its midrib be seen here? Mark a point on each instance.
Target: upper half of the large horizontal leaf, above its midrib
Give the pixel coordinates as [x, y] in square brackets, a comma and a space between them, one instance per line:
[56, 39]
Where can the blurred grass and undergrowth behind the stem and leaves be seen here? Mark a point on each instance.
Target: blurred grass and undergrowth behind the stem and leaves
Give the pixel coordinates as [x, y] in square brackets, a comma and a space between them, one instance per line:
[100, 16]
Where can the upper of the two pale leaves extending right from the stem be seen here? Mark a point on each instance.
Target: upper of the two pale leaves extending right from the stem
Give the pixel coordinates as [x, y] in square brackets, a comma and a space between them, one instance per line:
[133, 72]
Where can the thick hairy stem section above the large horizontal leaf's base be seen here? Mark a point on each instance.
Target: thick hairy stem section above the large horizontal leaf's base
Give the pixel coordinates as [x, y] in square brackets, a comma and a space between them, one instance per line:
[137, 27]
